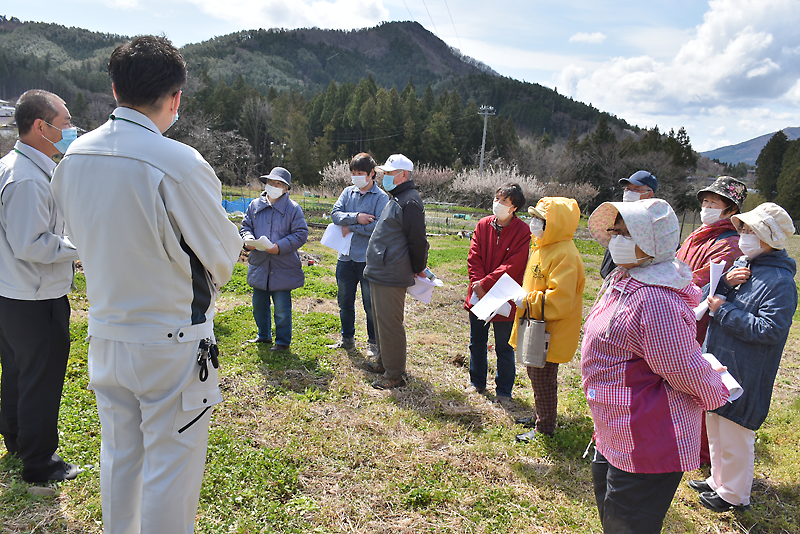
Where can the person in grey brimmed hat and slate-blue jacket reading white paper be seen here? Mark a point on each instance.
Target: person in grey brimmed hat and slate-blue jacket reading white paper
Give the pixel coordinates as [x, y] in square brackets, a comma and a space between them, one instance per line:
[274, 272]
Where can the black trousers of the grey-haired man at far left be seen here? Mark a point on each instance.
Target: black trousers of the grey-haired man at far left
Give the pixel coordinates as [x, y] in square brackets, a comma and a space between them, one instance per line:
[34, 349]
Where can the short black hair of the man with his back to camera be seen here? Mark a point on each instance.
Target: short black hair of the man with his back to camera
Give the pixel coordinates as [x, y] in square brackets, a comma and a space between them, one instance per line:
[145, 70]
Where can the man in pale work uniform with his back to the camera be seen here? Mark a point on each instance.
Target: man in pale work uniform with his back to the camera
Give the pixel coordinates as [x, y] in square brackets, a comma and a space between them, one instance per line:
[145, 214]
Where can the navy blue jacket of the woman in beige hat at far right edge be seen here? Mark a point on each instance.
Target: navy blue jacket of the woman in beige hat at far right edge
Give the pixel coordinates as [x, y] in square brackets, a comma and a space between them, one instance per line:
[748, 332]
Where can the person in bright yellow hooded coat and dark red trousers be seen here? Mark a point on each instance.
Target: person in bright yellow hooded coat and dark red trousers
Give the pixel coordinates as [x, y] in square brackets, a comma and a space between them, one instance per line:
[554, 273]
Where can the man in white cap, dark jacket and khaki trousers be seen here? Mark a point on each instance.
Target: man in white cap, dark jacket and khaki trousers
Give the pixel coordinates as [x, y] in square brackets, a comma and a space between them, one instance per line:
[397, 251]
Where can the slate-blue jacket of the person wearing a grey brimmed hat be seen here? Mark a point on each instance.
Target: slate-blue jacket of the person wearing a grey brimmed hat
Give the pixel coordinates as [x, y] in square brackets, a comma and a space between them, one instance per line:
[285, 225]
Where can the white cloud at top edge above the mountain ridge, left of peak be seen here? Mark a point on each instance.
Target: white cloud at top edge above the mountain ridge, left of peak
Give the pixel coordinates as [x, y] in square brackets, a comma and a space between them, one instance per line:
[329, 14]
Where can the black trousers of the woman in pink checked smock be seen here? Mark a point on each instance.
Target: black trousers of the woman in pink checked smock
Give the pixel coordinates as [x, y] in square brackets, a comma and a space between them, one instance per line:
[631, 503]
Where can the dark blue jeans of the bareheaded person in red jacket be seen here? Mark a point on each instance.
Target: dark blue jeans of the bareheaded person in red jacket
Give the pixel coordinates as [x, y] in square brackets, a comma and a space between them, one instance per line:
[478, 365]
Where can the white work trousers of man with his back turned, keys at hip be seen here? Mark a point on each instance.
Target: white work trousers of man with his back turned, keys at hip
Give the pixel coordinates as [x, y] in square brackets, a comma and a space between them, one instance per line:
[154, 412]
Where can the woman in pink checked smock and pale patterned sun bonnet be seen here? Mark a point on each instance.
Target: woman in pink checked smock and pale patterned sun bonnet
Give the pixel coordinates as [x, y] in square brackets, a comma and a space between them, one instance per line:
[644, 378]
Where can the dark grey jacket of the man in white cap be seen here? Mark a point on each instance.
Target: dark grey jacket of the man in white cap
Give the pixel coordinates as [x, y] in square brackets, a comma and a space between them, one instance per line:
[398, 248]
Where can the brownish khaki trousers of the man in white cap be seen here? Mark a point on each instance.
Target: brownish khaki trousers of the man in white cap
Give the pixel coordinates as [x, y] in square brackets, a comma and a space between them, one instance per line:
[388, 307]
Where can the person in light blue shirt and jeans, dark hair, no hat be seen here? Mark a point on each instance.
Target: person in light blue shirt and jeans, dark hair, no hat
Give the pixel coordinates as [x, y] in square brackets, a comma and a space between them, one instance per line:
[355, 212]
